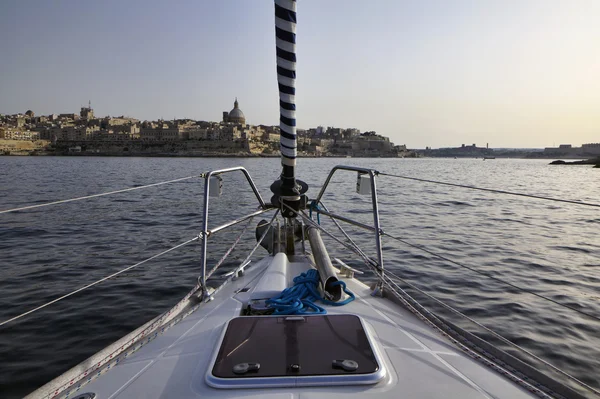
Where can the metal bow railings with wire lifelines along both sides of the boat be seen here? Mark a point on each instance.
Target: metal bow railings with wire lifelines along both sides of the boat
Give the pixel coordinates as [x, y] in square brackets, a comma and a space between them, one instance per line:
[388, 280]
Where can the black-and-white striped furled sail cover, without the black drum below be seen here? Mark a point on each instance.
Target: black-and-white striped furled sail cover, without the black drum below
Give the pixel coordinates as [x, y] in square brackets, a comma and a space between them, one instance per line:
[285, 32]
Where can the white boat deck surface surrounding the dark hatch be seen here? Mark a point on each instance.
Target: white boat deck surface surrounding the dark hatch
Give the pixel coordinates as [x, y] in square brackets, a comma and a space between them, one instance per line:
[420, 363]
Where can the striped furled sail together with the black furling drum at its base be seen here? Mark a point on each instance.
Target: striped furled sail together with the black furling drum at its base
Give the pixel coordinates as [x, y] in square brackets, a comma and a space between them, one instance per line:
[288, 191]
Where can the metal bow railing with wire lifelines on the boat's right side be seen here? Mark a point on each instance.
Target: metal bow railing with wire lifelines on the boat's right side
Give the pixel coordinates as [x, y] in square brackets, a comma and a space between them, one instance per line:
[521, 372]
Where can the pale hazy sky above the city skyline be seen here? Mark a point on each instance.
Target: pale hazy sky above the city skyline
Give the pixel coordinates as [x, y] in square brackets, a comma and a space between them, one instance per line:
[438, 73]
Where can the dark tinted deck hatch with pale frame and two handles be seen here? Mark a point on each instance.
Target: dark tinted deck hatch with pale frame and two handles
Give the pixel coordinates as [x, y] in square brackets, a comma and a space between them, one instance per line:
[295, 350]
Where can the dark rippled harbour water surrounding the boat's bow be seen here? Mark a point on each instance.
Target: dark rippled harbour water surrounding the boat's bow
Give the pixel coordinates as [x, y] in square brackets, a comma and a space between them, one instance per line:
[548, 248]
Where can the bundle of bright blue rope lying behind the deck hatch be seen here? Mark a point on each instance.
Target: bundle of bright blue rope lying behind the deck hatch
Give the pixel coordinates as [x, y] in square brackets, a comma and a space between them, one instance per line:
[301, 297]
